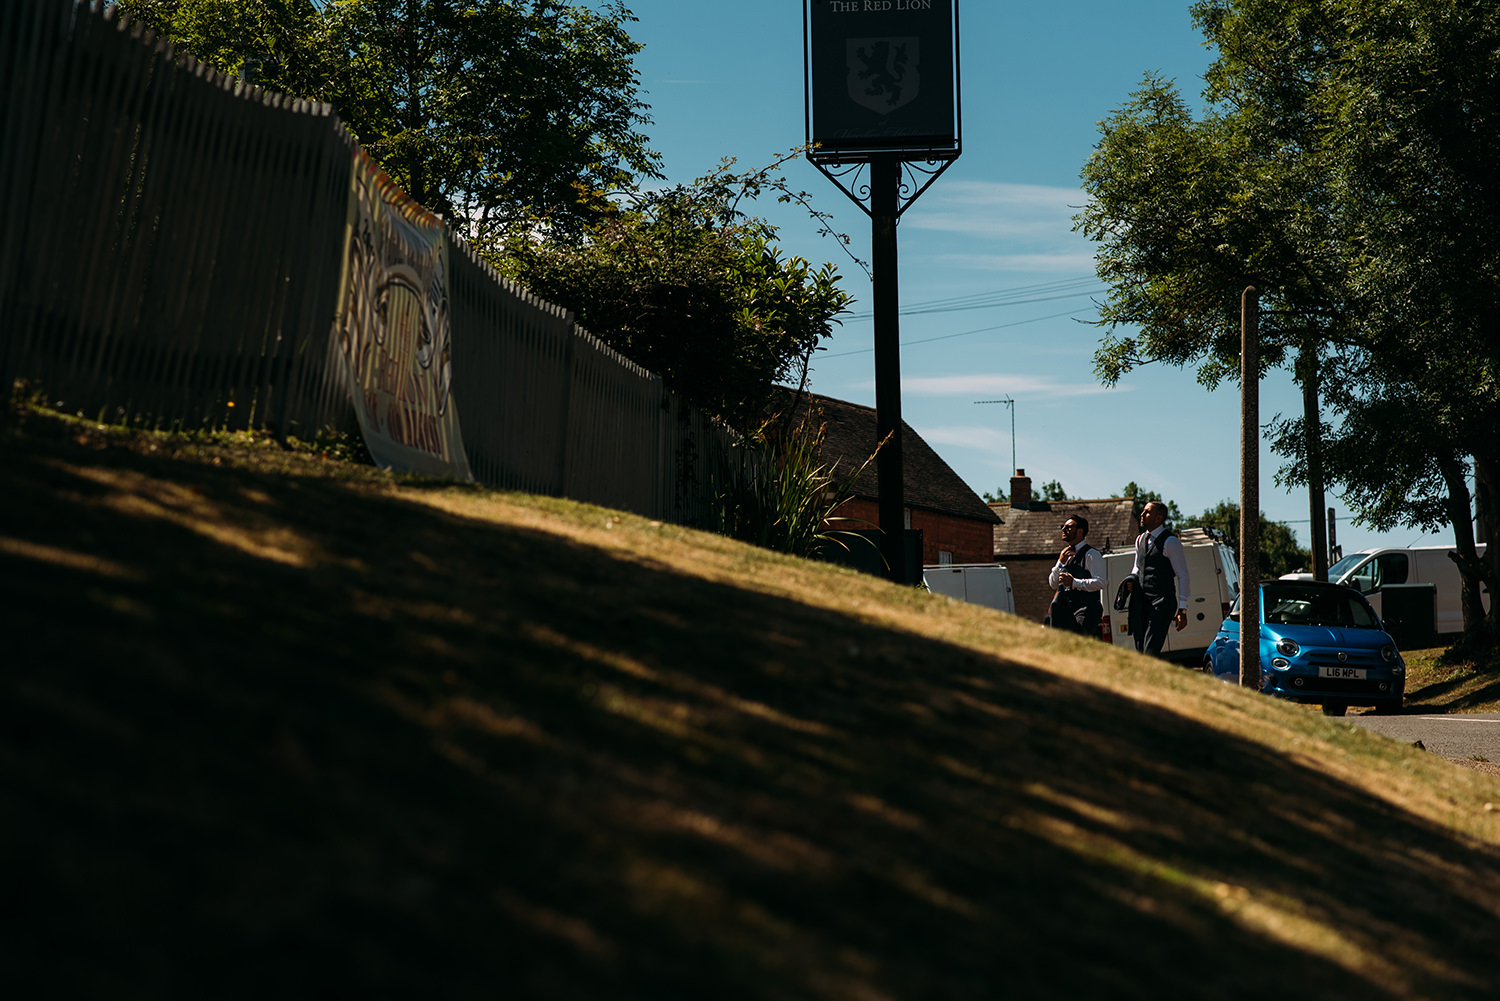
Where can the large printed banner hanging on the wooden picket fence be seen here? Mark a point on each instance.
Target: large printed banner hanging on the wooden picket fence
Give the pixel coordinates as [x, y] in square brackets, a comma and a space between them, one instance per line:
[395, 335]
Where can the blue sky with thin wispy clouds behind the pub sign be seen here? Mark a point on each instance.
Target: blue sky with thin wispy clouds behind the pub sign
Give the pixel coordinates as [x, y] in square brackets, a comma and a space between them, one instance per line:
[727, 80]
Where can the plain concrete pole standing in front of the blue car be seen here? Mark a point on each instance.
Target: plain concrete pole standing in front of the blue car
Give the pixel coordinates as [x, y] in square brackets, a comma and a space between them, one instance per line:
[1250, 488]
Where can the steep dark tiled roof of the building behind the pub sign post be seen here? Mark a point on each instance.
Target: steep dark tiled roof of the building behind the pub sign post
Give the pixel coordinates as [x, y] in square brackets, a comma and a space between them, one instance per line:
[850, 436]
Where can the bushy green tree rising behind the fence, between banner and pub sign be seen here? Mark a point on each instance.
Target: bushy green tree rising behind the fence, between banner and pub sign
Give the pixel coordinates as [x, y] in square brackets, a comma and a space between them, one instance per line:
[685, 283]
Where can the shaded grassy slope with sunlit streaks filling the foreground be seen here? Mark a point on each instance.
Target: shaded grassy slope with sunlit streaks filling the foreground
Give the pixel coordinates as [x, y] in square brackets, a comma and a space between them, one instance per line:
[281, 727]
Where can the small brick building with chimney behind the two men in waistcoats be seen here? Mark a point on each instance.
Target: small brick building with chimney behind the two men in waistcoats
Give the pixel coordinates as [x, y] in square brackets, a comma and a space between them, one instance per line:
[1030, 538]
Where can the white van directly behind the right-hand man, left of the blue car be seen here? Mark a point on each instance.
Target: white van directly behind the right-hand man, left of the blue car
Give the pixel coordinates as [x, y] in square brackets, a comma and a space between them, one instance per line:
[1214, 579]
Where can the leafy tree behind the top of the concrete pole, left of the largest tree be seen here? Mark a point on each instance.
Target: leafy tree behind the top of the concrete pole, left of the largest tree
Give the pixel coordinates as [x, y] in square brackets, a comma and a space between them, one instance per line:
[1187, 214]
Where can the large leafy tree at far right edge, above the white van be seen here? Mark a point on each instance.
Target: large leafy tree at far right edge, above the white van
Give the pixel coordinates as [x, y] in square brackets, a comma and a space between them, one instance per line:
[1406, 97]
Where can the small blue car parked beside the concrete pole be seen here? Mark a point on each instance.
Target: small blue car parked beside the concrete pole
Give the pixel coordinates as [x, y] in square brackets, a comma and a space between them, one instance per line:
[1319, 643]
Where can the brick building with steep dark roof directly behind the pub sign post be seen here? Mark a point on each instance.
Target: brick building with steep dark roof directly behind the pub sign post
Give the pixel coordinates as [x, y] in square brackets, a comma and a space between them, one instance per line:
[956, 523]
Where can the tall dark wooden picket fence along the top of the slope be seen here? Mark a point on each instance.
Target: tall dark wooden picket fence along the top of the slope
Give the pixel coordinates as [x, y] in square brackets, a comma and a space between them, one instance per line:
[170, 254]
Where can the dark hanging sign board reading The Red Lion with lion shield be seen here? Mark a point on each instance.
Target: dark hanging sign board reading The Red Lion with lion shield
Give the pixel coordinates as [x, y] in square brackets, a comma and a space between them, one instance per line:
[883, 77]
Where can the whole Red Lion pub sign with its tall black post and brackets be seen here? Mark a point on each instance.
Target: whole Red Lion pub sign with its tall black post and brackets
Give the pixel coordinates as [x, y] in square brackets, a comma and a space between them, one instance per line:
[883, 95]
